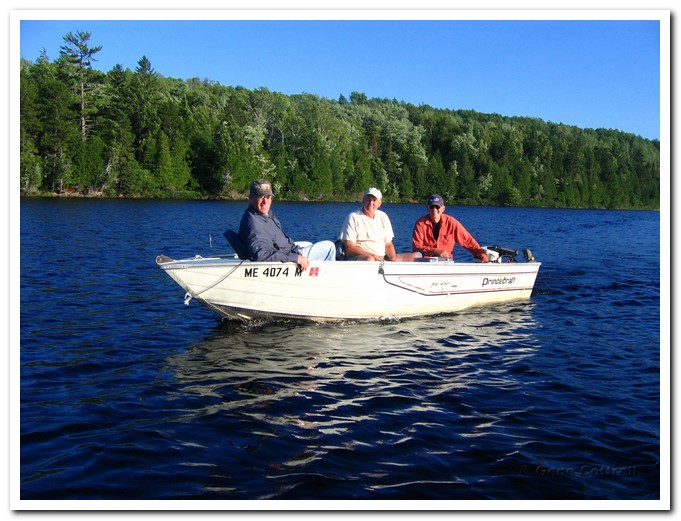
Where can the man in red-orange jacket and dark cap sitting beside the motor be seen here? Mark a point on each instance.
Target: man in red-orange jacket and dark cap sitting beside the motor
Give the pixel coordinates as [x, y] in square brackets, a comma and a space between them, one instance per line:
[436, 234]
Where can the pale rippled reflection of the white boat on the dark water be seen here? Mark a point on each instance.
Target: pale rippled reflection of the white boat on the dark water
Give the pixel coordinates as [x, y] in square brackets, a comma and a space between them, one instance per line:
[344, 367]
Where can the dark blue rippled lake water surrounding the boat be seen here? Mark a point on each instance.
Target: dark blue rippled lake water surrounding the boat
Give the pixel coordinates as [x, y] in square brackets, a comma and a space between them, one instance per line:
[128, 394]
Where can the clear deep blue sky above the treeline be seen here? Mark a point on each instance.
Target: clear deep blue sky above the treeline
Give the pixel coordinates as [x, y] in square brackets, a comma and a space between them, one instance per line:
[587, 73]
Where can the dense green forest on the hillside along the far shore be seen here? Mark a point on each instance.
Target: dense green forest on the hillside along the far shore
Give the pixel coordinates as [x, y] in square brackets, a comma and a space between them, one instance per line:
[137, 133]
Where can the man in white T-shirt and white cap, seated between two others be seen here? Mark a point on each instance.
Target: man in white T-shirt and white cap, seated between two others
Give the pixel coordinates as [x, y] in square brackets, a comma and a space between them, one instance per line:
[367, 233]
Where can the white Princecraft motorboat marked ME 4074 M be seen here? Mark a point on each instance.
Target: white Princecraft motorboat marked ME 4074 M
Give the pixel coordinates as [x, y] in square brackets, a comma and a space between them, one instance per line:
[240, 289]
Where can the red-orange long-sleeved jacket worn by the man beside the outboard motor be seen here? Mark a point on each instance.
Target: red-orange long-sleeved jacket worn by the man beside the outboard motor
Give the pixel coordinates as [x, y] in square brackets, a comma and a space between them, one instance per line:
[451, 232]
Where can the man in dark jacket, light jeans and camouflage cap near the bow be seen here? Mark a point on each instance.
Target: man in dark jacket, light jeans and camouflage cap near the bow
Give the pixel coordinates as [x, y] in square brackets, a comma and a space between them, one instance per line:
[262, 234]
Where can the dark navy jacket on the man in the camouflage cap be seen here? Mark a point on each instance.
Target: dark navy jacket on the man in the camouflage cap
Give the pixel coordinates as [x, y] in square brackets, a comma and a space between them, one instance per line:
[264, 238]
